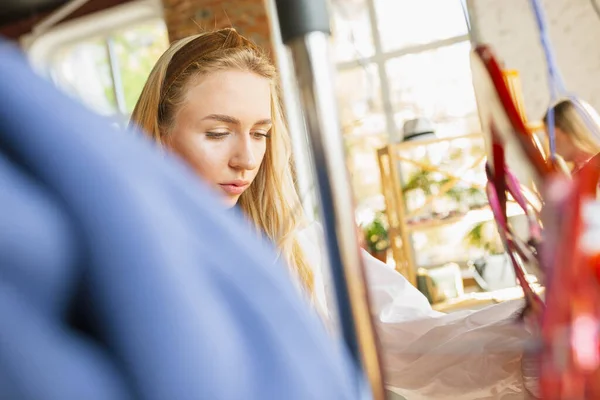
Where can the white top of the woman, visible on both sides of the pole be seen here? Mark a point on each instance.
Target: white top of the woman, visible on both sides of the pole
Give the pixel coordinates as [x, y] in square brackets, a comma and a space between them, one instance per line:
[427, 354]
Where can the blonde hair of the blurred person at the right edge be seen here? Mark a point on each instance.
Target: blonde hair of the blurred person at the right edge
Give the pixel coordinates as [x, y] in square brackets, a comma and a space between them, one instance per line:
[568, 118]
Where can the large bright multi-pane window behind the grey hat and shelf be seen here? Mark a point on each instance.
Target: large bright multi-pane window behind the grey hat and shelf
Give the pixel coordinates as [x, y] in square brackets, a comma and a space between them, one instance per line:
[398, 60]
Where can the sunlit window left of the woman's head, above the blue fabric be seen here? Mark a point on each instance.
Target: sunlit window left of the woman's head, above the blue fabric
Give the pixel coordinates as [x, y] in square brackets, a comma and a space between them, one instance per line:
[107, 72]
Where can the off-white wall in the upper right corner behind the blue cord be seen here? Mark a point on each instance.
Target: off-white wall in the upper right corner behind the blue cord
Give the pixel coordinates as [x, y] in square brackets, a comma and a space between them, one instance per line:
[509, 26]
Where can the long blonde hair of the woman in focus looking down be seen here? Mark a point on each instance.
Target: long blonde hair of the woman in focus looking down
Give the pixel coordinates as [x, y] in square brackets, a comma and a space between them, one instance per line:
[271, 201]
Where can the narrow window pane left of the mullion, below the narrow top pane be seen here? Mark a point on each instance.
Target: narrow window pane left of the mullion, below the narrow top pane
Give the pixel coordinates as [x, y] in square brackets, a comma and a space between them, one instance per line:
[359, 101]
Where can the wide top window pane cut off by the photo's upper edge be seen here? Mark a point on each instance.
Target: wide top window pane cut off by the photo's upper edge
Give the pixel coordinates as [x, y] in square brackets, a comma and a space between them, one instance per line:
[404, 23]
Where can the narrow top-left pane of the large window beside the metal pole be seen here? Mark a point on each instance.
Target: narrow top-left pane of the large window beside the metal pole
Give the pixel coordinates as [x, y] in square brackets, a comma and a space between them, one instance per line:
[352, 37]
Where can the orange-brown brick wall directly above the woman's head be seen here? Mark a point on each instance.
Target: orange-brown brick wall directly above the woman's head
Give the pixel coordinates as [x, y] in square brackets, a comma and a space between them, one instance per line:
[189, 17]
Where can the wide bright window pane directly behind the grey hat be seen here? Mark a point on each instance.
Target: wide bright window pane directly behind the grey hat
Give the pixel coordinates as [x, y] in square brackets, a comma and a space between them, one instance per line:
[437, 85]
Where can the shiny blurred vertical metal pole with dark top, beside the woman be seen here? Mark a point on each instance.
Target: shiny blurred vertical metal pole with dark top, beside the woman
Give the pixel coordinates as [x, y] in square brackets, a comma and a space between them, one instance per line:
[305, 30]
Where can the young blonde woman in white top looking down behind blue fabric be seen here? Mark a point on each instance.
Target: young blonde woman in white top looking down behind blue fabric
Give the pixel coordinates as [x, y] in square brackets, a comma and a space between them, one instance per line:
[213, 99]
